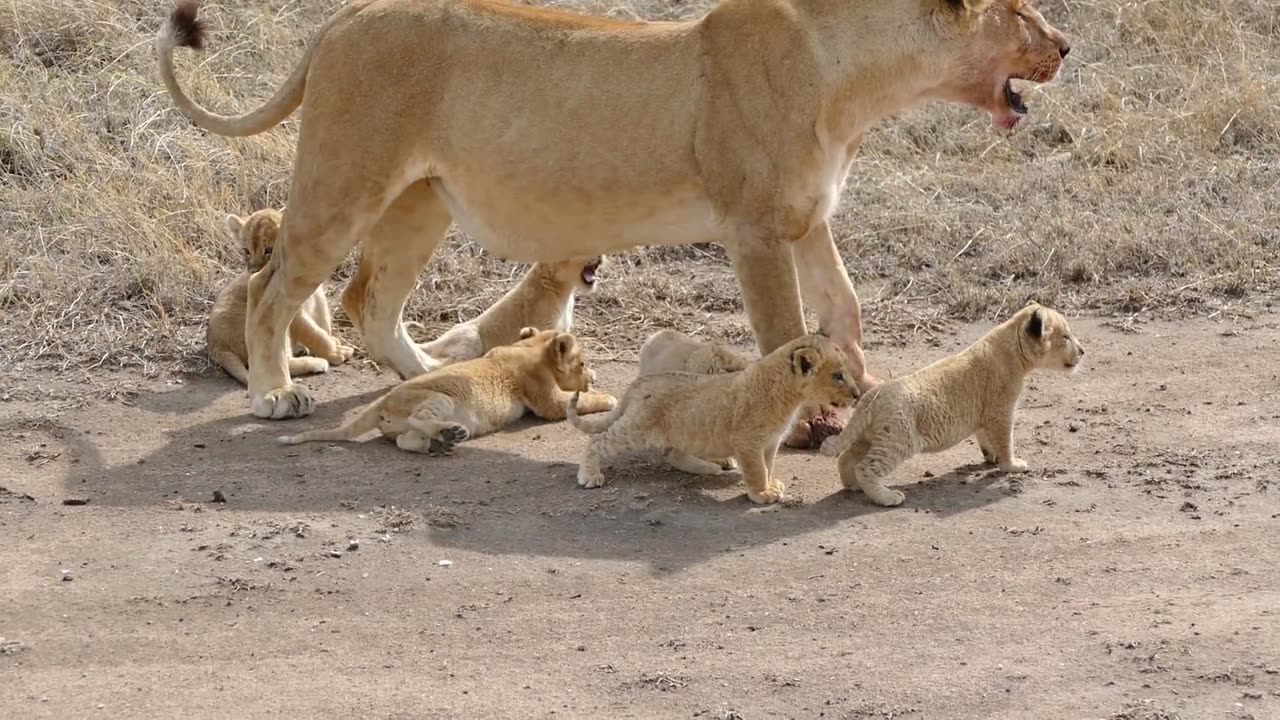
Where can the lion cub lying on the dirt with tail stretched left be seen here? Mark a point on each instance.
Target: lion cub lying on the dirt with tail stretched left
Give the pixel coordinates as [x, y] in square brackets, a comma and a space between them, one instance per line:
[437, 411]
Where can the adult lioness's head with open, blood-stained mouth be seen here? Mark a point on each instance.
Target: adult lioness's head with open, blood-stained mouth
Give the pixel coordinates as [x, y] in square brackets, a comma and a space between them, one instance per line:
[988, 44]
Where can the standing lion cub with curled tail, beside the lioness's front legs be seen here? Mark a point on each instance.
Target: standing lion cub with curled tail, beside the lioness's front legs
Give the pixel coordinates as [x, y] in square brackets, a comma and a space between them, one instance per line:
[740, 416]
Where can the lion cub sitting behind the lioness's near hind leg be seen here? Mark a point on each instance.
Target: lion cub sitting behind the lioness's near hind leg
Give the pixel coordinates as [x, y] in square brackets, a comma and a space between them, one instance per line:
[312, 329]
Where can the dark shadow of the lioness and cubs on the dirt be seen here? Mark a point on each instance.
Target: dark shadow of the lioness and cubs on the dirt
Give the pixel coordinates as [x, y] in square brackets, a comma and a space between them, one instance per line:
[508, 503]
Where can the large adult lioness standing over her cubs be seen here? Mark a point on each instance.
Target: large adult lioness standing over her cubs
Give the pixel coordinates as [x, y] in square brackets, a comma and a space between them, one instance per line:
[548, 135]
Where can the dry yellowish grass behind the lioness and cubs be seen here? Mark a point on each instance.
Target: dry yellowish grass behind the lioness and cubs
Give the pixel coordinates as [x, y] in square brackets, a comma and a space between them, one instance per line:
[1149, 180]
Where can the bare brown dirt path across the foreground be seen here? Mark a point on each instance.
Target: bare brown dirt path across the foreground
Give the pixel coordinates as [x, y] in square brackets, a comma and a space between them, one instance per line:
[1132, 575]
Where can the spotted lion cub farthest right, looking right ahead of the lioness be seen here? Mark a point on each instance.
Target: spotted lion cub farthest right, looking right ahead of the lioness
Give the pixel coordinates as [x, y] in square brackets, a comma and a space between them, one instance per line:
[972, 393]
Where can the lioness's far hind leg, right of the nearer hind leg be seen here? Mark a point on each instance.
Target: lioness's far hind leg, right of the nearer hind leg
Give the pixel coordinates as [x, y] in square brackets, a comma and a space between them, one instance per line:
[394, 254]
